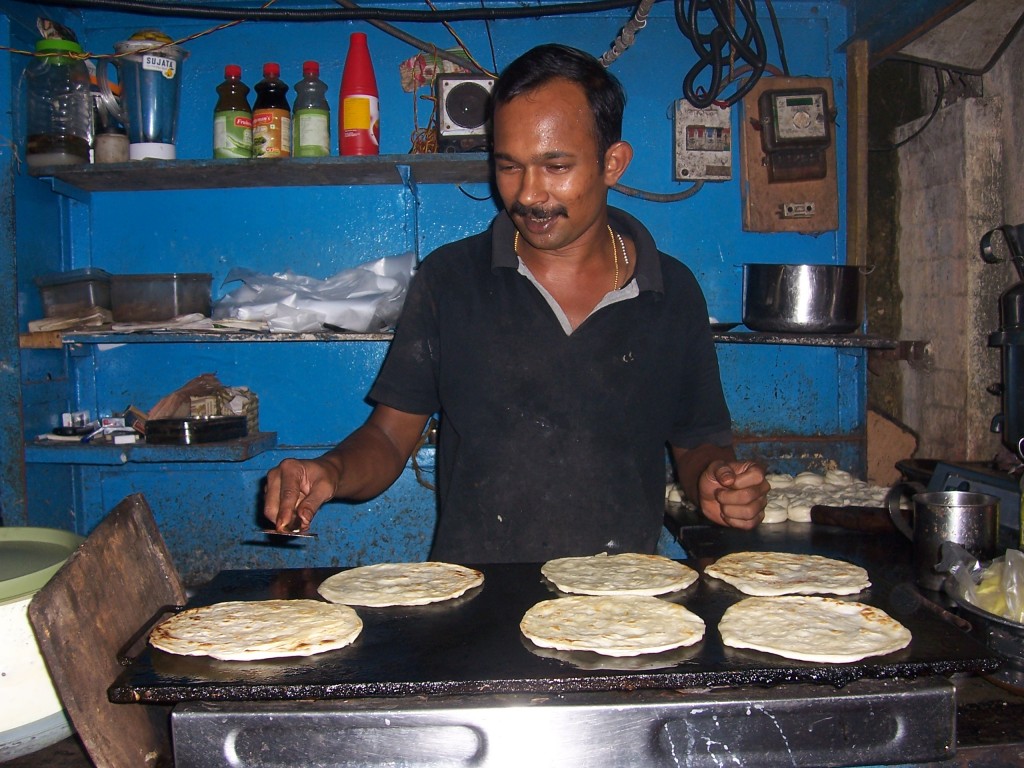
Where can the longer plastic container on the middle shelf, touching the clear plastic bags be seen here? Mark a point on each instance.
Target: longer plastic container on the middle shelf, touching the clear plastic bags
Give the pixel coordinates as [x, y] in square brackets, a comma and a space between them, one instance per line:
[152, 298]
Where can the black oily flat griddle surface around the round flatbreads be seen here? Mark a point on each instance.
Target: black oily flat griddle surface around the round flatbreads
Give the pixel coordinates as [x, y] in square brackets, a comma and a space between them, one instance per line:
[473, 646]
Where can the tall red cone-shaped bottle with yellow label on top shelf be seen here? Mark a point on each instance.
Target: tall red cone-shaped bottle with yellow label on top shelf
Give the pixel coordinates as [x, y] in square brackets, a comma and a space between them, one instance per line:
[359, 116]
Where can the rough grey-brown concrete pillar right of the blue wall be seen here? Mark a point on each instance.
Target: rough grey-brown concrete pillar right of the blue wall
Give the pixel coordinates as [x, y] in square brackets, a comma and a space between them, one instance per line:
[951, 194]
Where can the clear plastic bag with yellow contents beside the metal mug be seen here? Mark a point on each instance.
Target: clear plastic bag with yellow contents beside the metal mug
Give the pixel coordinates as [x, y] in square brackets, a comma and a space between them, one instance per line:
[998, 588]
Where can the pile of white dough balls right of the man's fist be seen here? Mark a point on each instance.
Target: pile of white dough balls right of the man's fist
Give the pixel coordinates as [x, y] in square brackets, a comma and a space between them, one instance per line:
[791, 497]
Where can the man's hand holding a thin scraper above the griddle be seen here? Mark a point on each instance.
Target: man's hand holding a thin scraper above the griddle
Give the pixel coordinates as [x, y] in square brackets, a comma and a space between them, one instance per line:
[295, 491]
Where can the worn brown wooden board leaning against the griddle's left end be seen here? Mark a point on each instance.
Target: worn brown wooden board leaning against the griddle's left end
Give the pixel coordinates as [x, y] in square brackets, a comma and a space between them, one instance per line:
[119, 579]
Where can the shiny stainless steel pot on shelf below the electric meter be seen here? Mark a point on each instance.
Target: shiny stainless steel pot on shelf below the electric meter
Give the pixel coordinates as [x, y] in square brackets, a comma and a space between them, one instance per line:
[801, 298]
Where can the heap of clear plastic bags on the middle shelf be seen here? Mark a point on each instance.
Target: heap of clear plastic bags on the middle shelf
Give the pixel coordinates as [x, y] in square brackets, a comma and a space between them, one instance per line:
[367, 298]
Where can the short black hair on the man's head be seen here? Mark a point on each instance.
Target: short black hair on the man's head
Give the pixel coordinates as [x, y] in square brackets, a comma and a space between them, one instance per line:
[540, 66]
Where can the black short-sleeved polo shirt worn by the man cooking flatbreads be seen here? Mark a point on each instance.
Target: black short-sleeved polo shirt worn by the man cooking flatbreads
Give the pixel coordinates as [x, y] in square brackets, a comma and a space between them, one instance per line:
[551, 444]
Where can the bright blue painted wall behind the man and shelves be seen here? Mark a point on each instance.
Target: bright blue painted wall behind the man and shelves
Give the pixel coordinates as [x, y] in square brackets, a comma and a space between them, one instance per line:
[798, 407]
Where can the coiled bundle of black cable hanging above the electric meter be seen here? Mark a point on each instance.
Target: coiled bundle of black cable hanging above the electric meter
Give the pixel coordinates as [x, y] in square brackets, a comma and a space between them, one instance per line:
[722, 45]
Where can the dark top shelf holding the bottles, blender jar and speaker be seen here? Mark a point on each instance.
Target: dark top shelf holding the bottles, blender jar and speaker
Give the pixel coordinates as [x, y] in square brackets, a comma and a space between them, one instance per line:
[158, 176]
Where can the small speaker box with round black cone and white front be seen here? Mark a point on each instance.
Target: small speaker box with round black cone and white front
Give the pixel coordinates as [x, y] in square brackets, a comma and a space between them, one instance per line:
[462, 112]
